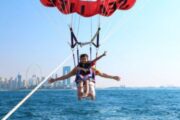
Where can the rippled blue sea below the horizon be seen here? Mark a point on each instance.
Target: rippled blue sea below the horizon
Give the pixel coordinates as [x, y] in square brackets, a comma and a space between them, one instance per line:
[122, 104]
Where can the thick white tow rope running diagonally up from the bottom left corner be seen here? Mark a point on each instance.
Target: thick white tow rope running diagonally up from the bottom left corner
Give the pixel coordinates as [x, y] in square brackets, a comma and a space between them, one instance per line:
[35, 89]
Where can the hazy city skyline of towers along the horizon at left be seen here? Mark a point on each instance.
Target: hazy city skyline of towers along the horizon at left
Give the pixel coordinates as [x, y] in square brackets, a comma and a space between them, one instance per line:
[17, 82]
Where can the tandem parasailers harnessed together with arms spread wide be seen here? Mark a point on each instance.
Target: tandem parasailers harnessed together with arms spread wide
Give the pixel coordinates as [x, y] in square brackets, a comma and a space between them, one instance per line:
[85, 84]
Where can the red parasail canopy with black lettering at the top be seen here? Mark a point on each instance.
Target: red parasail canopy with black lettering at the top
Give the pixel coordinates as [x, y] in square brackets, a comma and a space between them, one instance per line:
[88, 8]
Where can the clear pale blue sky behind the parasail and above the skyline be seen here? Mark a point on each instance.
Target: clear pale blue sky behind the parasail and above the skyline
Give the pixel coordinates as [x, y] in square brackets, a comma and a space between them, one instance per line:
[142, 44]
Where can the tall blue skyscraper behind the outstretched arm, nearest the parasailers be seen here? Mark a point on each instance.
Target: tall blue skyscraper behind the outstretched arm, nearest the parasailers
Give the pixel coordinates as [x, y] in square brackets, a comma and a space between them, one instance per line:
[67, 82]
